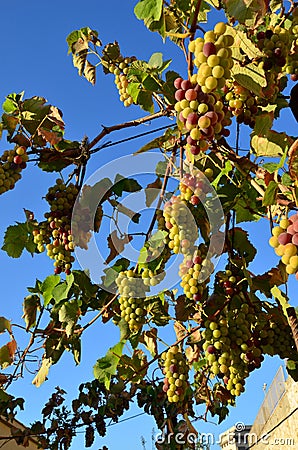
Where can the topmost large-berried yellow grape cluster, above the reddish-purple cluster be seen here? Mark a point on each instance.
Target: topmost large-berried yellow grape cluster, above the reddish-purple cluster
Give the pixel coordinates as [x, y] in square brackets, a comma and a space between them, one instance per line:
[213, 58]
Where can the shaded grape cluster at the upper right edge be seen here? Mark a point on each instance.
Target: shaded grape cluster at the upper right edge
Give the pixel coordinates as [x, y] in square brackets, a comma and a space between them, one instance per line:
[280, 48]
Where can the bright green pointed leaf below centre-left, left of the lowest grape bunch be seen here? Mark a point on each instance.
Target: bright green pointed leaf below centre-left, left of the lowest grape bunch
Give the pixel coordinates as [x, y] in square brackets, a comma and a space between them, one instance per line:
[106, 367]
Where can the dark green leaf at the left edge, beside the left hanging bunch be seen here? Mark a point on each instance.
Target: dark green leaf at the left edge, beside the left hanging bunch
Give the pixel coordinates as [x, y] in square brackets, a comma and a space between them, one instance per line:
[16, 238]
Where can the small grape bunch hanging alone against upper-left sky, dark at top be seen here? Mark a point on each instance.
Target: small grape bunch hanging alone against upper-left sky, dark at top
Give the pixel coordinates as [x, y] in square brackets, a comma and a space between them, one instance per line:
[116, 64]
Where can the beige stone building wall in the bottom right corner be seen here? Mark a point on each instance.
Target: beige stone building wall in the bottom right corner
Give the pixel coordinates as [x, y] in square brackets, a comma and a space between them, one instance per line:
[285, 436]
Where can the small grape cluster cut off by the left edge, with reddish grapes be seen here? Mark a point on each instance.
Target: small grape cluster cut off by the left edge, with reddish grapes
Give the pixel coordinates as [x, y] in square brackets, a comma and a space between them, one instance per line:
[11, 164]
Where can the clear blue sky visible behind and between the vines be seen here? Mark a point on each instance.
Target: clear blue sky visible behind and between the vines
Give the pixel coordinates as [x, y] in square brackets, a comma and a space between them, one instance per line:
[34, 58]
